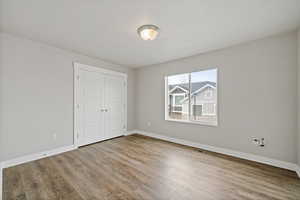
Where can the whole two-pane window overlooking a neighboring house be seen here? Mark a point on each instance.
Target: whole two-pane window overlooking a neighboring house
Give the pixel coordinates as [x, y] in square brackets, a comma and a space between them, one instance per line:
[192, 97]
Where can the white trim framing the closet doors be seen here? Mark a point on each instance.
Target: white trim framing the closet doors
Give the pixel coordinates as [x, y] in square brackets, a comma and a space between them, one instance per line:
[76, 107]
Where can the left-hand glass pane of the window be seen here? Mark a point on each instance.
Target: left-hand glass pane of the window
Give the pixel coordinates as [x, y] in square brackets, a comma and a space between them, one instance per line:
[178, 101]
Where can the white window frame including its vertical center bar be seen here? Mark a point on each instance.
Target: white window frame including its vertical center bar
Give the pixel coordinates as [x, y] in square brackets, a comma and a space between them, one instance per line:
[191, 121]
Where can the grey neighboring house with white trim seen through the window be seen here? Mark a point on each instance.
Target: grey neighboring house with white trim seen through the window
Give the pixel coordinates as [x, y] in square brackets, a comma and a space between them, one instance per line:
[203, 98]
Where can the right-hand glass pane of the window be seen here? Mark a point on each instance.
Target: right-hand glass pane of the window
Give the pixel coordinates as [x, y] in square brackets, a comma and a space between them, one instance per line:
[204, 96]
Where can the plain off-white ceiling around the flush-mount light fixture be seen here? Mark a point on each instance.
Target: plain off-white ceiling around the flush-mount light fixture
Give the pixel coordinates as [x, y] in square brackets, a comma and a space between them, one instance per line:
[106, 29]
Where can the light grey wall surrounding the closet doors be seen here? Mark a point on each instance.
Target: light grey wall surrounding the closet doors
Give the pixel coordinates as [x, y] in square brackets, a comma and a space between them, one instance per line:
[36, 90]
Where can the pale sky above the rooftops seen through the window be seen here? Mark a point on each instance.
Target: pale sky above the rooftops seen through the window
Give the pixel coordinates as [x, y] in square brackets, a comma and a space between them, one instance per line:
[205, 75]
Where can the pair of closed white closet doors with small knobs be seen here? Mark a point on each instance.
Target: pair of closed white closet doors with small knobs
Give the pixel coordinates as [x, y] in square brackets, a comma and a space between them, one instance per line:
[102, 106]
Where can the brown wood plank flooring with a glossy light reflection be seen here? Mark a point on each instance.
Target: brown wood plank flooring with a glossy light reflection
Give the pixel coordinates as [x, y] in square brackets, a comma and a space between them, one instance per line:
[137, 167]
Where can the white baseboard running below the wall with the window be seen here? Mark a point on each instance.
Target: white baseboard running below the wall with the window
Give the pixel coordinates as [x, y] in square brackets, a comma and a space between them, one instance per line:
[247, 156]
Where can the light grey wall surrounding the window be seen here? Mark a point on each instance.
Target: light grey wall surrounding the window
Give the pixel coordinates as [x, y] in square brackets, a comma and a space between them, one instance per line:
[257, 97]
